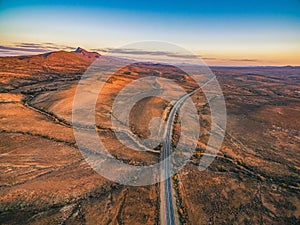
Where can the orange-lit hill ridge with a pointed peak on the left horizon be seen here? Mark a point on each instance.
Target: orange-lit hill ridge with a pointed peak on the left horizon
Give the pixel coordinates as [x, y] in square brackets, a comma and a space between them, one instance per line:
[45, 66]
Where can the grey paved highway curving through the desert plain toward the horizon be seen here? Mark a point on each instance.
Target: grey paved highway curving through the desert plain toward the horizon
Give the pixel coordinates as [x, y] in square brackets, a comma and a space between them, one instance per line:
[168, 216]
